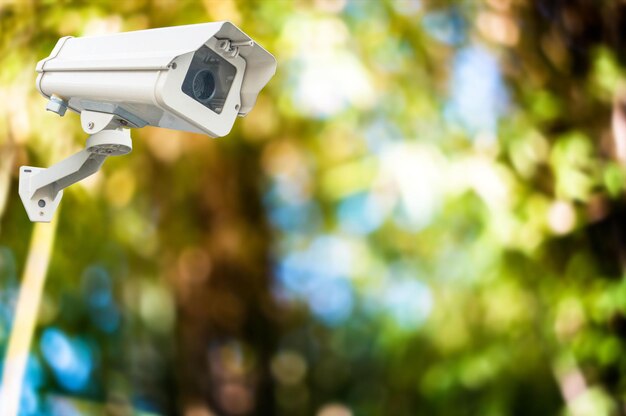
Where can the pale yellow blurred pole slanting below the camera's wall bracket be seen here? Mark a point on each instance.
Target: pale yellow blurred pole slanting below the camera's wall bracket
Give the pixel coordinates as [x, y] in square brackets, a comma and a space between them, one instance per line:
[25, 317]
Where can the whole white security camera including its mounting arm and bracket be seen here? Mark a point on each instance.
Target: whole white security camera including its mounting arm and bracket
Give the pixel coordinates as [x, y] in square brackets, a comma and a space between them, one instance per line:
[195, 78]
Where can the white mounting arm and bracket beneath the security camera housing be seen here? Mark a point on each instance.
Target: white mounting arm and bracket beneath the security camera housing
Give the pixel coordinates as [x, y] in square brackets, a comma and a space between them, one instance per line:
[41, 189]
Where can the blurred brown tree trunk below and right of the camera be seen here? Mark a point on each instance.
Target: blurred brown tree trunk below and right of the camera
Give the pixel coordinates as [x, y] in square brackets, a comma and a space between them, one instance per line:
[226, 332]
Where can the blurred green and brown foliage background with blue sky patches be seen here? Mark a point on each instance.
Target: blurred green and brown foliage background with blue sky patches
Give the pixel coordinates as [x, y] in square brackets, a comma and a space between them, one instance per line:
[423, 214]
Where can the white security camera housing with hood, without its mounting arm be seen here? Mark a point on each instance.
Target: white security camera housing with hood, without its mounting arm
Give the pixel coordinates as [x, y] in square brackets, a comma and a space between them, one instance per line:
[139, 75]
